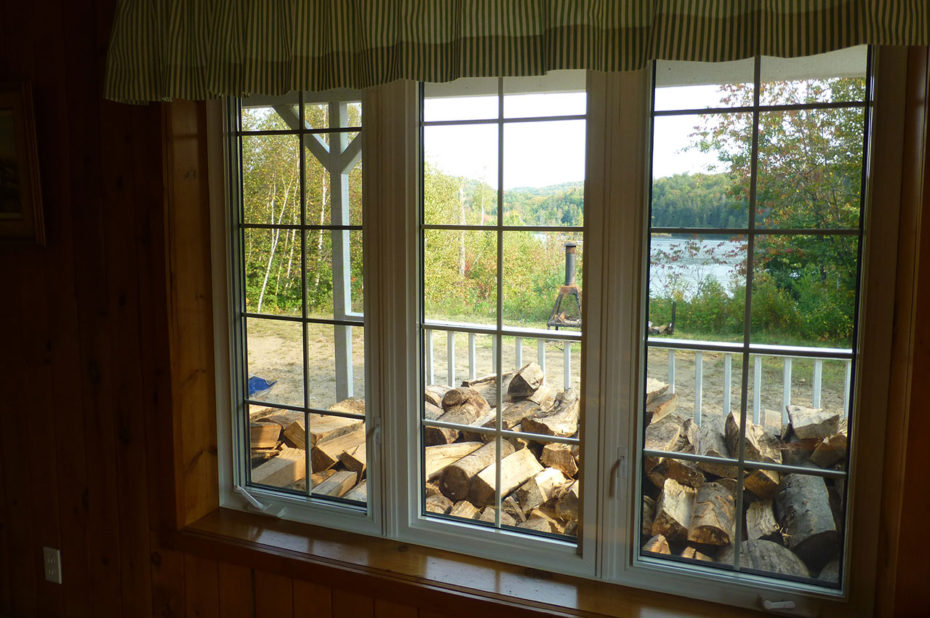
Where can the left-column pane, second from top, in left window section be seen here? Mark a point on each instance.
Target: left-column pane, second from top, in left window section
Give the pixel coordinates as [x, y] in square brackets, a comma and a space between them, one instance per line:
[271, 179]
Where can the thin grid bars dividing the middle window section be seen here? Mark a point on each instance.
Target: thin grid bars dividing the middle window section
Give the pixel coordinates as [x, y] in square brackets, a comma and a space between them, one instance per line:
[499, 330]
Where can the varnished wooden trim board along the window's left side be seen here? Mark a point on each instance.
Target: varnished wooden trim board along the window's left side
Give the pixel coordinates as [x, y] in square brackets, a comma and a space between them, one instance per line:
[190, 313]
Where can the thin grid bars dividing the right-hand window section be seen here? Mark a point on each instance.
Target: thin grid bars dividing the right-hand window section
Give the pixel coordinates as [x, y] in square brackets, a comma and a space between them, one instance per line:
[747, 349]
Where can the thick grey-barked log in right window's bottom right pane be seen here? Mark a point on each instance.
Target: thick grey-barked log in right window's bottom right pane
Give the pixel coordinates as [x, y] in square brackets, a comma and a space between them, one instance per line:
[803, 508]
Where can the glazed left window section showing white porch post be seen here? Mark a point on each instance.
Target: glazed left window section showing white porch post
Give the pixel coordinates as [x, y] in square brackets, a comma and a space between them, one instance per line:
[299, 289]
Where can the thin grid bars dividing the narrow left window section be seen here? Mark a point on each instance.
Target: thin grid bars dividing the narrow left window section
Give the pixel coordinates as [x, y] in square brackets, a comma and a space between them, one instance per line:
[352, 319]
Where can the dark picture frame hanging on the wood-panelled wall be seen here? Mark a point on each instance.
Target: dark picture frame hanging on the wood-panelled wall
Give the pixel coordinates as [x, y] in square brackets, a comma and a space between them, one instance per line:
[21, 214]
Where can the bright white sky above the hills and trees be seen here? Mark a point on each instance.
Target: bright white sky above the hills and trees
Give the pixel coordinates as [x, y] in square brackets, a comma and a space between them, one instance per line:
[542, 153]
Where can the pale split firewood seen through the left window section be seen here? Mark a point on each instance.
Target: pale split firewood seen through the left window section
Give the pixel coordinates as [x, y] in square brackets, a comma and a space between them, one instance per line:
[337, 451]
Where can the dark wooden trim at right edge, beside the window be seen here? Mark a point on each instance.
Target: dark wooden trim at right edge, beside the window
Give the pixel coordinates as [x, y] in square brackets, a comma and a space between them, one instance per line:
[907, 427]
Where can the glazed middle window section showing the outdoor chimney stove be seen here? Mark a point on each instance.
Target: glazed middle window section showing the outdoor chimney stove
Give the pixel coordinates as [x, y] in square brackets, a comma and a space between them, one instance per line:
[501, 265]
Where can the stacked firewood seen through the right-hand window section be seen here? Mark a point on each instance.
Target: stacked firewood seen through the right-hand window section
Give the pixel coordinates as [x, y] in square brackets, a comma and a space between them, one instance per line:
[792, 523]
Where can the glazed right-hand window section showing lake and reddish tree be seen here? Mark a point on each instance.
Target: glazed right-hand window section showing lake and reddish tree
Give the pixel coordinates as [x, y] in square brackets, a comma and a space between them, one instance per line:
[754, 244]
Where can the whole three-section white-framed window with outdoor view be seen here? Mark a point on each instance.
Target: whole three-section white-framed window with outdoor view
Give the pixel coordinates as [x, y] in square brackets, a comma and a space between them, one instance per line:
[547, 359]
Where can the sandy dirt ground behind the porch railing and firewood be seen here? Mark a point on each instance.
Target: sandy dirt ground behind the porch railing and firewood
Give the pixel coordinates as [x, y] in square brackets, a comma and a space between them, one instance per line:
[275, 353]
